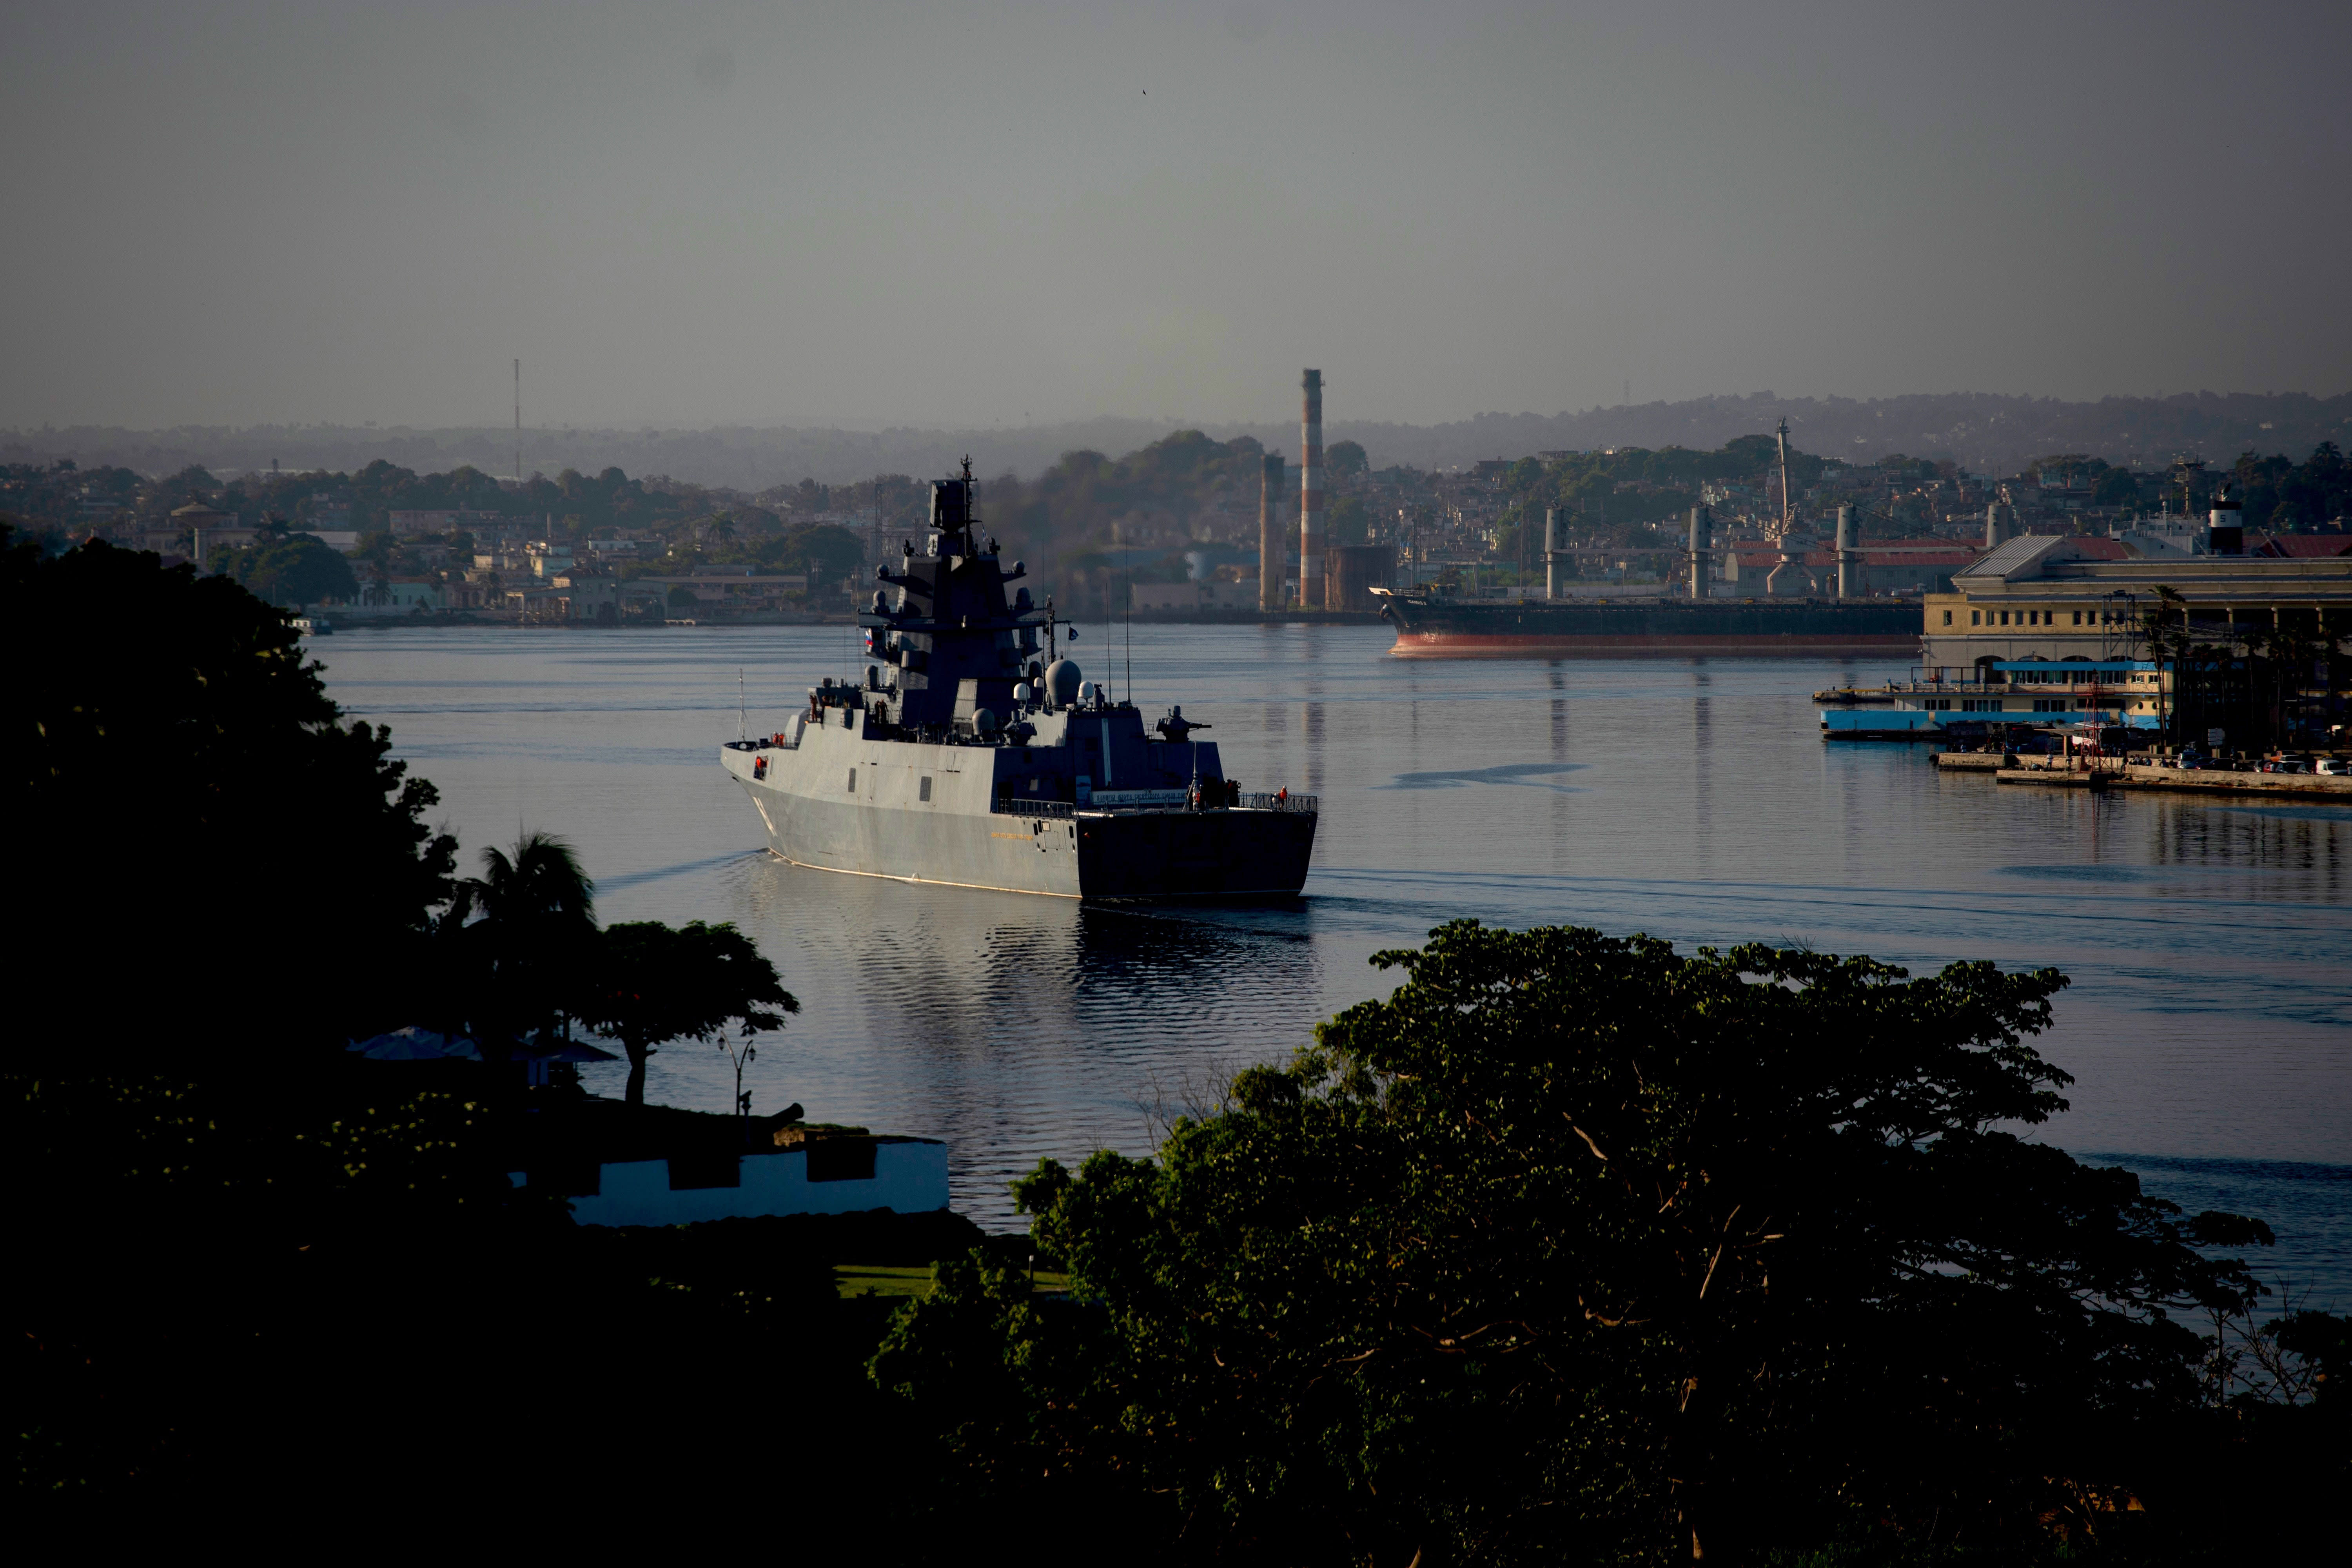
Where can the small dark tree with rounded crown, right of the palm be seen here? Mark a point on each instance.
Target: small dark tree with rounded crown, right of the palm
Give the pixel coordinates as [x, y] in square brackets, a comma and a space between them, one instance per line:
[650, 984]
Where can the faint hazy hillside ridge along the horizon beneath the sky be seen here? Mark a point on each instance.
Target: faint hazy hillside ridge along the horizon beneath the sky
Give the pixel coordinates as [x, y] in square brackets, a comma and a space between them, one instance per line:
[1975, 429]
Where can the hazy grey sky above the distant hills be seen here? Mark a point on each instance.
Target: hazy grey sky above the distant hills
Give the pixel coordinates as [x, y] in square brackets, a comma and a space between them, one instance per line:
[1001, 213]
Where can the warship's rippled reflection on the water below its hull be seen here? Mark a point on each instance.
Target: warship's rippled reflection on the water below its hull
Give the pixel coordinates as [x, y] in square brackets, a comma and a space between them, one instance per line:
[1020, 1026]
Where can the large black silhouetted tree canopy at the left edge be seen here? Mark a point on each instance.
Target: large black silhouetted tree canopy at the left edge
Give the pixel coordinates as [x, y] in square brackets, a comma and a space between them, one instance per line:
[196, 819]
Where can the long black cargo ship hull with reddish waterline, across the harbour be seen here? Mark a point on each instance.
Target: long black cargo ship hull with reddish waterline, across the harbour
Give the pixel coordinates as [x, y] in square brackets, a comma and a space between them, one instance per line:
[1664, 629]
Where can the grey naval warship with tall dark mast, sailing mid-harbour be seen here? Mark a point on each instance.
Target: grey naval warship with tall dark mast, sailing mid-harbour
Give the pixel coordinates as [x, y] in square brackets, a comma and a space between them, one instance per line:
[980, 756]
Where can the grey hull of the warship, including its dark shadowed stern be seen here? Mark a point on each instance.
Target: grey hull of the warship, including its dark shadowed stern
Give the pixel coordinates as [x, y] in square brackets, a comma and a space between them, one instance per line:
[921, 812]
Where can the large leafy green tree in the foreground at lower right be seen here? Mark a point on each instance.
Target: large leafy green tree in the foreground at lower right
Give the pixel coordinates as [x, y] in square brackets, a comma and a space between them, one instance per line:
[1579, 1249]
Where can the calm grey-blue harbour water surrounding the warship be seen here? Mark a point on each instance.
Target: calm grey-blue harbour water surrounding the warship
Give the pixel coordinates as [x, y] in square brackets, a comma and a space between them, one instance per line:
[2210, 1024]
